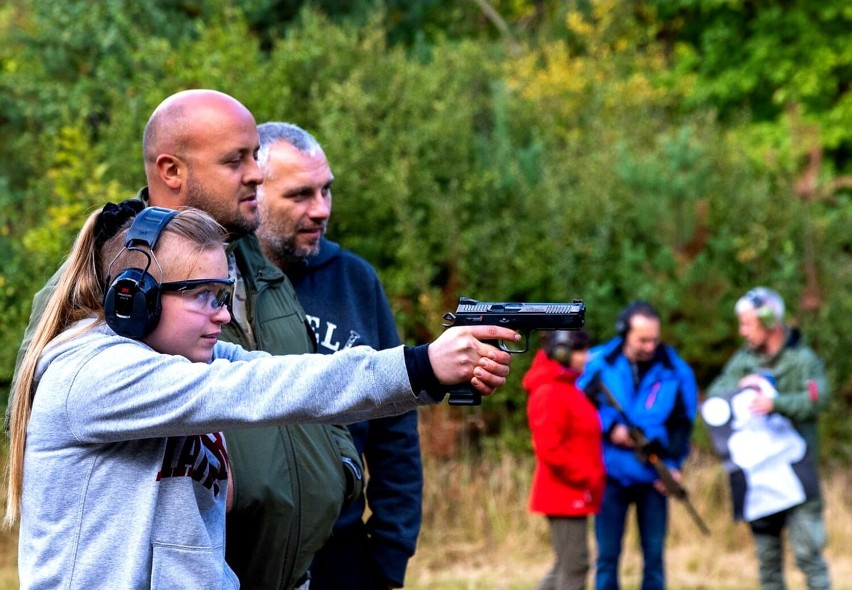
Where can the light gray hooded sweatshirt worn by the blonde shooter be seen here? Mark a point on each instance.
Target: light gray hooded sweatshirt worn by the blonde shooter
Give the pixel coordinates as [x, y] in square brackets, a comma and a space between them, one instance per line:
[125, 469]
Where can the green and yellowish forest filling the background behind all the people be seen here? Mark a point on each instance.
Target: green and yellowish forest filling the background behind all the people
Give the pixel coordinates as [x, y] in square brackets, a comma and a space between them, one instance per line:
[678, 151]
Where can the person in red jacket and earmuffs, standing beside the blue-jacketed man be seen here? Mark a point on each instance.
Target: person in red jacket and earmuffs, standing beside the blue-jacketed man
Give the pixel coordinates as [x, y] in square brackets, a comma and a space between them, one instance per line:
[569, 476]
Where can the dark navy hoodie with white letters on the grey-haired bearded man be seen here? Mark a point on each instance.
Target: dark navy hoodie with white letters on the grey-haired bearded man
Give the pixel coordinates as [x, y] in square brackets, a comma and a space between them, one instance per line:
[346, 306]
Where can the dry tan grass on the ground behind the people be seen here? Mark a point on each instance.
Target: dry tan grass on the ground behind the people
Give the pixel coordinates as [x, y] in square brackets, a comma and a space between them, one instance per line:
[478, 535]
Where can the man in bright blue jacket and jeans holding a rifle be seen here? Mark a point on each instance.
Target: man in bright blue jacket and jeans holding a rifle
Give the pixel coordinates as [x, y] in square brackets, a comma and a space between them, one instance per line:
[658, 394]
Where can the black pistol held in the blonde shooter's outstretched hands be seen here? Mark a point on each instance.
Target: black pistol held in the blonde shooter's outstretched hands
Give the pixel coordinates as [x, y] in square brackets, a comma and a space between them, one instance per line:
[521, 317]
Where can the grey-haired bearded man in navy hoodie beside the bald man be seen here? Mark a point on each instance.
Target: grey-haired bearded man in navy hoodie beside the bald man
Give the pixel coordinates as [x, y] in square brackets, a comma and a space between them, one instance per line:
[346, 306]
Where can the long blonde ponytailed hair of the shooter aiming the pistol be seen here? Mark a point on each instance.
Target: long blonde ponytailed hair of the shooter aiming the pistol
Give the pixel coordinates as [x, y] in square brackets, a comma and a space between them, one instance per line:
[79, 294]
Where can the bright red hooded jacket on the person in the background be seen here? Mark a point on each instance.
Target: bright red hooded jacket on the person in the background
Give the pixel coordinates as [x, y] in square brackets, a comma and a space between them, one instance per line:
[566, 433]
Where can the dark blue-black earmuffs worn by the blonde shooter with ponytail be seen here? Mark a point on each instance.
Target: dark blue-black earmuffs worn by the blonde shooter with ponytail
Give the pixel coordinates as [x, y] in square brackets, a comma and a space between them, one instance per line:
[132, 300]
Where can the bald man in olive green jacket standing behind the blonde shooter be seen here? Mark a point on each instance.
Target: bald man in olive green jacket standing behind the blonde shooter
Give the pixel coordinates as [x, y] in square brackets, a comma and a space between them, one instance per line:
[200, 149]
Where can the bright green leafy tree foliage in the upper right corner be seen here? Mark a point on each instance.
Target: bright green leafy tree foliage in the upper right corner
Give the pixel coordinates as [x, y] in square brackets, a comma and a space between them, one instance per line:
[758, 58]
